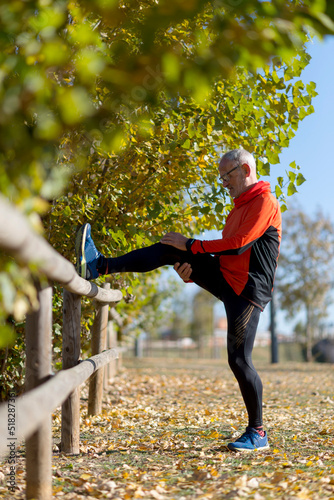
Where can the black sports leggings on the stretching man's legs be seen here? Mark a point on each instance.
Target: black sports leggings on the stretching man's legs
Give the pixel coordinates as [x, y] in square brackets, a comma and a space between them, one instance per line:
[242, 316]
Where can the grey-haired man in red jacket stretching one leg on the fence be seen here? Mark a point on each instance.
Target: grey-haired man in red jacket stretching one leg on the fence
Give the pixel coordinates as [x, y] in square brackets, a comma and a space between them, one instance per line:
[238, 269]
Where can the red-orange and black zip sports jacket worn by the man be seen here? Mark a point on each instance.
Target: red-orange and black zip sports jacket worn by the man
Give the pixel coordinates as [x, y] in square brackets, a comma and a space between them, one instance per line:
[249, 247]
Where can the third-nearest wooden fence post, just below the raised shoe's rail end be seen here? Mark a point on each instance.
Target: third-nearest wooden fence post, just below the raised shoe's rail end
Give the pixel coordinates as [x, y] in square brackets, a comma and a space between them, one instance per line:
[99, 334]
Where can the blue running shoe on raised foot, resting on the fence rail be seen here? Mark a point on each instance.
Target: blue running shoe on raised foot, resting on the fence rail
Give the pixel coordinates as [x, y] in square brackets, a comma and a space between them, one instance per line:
[86, 254]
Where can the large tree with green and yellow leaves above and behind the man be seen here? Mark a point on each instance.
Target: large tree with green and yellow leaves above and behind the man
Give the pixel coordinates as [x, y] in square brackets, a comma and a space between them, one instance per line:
[89, 87]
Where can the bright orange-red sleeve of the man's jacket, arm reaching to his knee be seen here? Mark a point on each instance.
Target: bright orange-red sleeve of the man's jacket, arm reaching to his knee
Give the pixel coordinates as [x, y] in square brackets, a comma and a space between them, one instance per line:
[257, 220]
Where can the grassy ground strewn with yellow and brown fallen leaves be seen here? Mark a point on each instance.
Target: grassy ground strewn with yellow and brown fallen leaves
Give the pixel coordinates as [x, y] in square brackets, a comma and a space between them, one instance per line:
[164, 428]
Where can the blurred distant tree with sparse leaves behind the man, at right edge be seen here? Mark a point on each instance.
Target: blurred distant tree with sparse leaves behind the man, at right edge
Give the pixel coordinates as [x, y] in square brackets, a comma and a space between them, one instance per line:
[305, 270]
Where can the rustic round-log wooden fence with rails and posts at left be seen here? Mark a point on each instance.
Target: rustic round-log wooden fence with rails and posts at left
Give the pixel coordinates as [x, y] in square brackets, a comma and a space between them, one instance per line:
[29, 416]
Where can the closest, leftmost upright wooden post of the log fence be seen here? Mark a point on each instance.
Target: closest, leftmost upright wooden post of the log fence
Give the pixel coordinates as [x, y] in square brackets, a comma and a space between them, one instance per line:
[38, 370]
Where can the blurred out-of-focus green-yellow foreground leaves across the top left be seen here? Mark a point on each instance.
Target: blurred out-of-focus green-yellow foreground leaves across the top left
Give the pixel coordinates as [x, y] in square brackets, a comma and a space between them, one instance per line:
[67, 67]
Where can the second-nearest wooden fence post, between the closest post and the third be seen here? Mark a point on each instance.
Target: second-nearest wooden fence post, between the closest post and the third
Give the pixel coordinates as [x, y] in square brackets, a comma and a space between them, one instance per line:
[70, 417]
